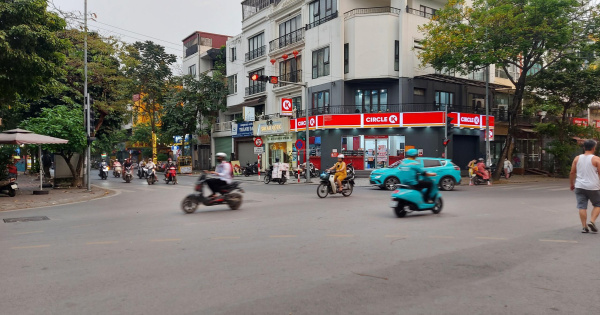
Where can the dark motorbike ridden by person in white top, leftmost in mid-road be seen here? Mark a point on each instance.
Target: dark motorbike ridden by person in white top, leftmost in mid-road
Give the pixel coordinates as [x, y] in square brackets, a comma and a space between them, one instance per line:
[230, 195]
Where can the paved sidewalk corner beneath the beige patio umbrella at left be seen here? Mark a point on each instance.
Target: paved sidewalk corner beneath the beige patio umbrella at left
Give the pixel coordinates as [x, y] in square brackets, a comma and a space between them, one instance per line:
[25, 198]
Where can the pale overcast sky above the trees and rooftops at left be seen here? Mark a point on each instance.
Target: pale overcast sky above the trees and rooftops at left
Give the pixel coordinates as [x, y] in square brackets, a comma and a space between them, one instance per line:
[167, 20]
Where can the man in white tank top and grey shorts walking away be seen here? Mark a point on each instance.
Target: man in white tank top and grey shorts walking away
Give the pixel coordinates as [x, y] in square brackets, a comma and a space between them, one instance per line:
[585, 181]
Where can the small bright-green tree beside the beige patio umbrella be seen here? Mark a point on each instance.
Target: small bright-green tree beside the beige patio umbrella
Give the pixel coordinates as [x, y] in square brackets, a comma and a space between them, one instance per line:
[63, 122]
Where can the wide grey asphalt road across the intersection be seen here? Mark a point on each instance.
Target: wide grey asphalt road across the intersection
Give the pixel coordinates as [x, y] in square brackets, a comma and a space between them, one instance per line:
[512, 249]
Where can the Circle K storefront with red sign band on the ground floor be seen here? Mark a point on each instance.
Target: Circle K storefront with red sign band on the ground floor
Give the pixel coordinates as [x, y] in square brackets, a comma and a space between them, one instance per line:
[375, 140]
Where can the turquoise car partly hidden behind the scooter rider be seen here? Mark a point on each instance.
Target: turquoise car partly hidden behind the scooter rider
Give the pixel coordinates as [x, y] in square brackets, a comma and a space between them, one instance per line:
[447, 172]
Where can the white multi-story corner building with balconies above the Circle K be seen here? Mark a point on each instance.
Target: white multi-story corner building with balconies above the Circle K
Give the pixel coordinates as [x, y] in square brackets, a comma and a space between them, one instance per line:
[366, 93]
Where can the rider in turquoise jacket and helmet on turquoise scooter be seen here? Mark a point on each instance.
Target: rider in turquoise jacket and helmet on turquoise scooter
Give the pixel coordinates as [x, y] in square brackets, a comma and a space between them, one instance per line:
[411, 169]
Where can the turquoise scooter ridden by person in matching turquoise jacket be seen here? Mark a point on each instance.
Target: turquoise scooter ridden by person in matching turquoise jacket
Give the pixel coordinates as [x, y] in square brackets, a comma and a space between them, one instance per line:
[406, 199]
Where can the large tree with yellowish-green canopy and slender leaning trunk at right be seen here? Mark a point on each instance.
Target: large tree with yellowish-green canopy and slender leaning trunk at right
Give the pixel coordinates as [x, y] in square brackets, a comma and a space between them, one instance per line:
[528, 34]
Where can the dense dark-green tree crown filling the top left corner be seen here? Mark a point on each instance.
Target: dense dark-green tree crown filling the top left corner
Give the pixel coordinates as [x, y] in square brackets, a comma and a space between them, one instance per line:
[31, 53]
